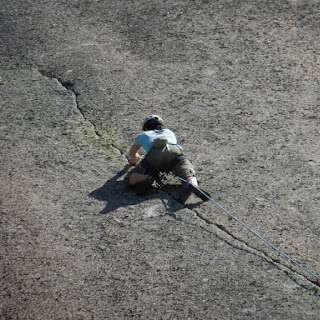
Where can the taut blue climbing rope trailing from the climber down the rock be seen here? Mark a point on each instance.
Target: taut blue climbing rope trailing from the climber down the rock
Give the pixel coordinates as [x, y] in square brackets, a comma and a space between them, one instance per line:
[252, 231]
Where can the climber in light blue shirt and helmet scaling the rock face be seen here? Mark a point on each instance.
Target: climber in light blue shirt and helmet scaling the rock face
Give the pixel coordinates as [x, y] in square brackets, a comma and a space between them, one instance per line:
[163, 154]
